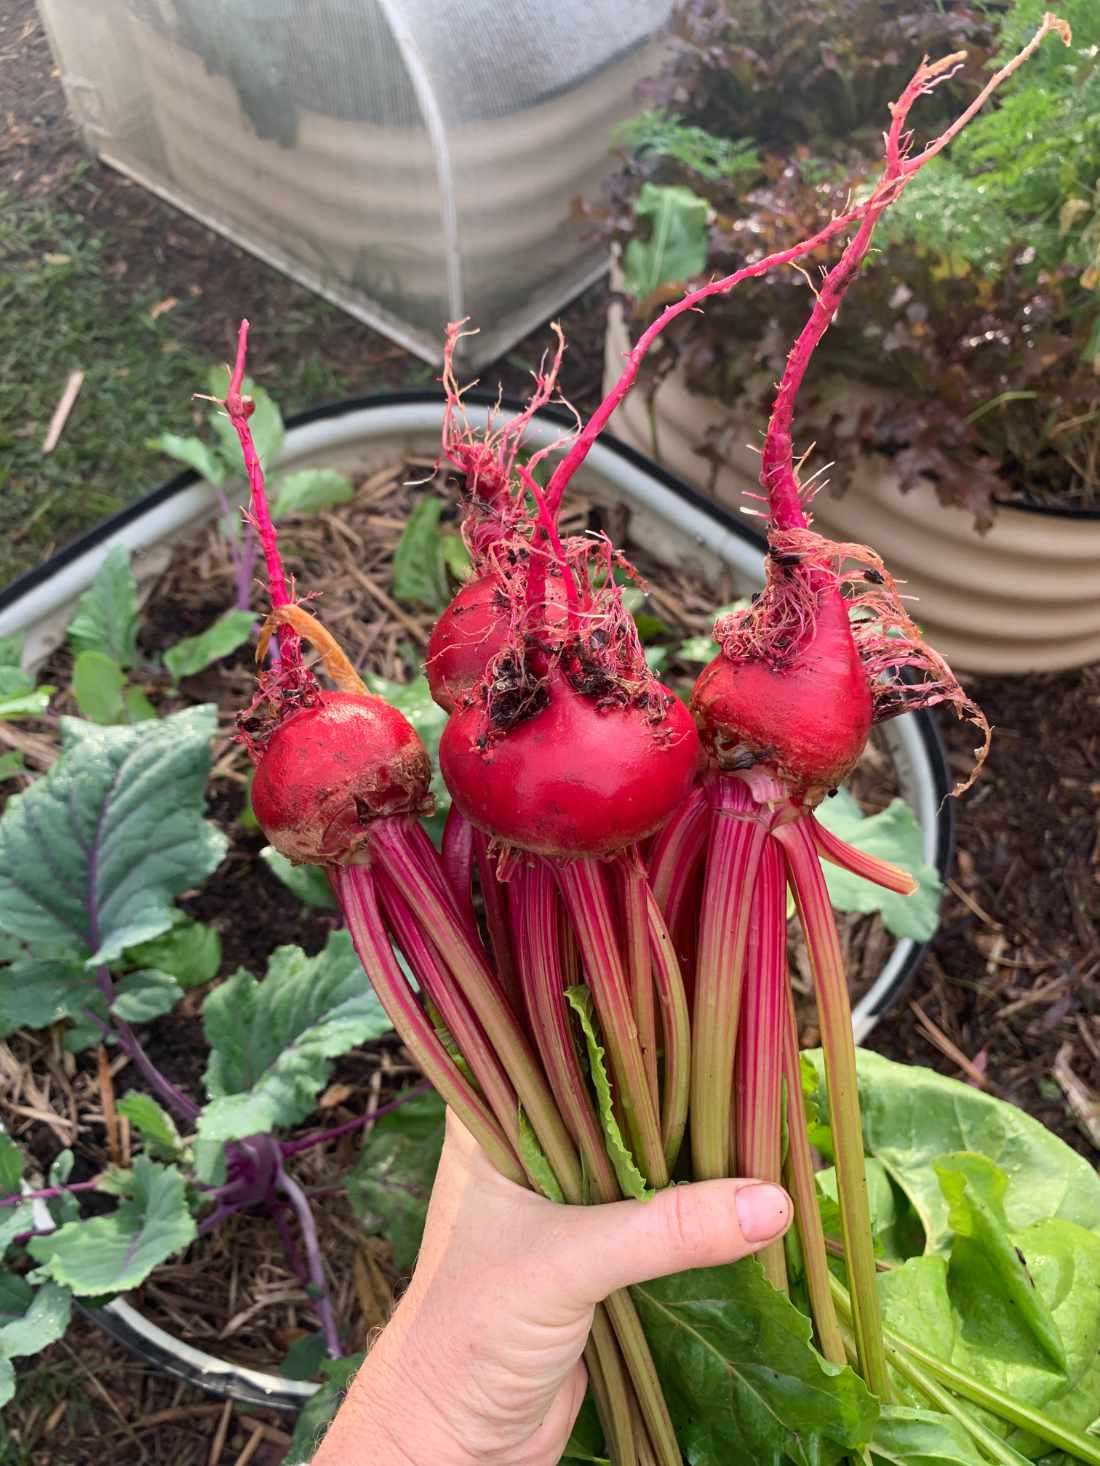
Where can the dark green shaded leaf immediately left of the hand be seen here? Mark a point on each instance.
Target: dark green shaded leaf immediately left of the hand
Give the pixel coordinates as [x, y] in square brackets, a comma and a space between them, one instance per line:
[391, 1182]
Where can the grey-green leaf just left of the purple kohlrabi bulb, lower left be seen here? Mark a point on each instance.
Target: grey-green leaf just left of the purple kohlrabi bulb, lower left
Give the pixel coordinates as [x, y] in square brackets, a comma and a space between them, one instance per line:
[115, 1253]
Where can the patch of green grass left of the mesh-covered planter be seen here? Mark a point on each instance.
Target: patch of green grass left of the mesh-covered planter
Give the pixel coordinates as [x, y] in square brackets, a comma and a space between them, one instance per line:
[62, 307]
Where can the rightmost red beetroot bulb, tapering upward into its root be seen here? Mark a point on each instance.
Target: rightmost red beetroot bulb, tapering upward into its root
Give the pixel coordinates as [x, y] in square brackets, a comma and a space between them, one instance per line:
[804, 721]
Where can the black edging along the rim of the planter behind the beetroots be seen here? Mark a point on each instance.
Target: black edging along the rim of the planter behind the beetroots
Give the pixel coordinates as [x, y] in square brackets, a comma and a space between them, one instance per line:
[244, 1385]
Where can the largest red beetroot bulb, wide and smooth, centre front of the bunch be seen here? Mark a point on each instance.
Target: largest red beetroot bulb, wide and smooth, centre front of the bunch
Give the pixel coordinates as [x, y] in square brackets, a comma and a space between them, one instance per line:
[576, 779]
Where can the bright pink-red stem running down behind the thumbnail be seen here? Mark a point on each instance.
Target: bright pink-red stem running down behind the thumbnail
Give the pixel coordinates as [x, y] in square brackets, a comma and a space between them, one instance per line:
[759, 1084]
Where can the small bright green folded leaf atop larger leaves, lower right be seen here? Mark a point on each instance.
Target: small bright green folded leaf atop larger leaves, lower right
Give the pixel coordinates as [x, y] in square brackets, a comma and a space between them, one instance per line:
[976, 1190]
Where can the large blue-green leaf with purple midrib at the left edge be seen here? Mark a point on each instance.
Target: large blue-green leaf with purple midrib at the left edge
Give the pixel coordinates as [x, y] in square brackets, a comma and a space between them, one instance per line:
[95, 854]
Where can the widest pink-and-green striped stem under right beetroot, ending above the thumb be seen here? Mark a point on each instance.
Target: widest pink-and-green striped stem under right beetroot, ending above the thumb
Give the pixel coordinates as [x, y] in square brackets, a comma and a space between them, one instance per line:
[737, 839]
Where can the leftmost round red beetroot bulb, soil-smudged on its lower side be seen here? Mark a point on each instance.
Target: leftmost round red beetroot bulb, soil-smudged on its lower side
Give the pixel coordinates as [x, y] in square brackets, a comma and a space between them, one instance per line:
[334, 767]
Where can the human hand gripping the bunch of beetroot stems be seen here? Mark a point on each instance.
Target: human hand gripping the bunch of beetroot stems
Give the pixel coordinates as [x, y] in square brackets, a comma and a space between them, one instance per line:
[482, 1363]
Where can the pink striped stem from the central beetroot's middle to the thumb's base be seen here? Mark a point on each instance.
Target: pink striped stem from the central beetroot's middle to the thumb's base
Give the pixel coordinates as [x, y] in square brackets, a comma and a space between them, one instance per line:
[584, 889]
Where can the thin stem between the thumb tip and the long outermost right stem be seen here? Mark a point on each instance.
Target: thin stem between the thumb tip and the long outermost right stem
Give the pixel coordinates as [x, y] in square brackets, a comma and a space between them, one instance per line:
[800, 1182]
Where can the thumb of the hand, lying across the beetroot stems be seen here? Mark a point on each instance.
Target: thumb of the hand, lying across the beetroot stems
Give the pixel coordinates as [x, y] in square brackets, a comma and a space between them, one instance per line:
[599, 1250]
